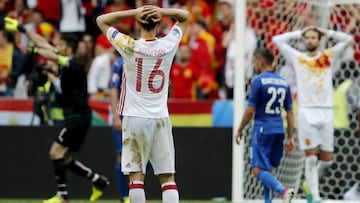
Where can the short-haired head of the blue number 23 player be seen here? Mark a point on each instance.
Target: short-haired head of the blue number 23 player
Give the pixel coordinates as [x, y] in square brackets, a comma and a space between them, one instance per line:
[263, 59]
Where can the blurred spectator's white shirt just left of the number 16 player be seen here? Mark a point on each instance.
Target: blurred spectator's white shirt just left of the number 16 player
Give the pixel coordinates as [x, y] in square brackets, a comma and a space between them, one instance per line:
[99, 73]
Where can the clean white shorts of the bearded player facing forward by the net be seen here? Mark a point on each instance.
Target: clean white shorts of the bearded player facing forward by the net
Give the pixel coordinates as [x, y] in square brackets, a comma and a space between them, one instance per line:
[316, 128]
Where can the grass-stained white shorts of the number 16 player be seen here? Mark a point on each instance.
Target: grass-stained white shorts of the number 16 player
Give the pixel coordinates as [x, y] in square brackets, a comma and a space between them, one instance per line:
[147, 139]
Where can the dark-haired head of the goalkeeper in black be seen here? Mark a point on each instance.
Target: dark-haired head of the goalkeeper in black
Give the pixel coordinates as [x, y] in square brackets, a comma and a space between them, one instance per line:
[68, 45]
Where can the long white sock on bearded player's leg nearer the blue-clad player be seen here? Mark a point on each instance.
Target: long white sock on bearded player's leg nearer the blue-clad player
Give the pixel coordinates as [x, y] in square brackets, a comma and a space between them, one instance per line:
[312, 176]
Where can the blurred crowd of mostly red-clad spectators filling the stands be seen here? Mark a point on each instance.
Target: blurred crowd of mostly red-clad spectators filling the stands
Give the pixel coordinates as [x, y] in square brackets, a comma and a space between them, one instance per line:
[203, 68]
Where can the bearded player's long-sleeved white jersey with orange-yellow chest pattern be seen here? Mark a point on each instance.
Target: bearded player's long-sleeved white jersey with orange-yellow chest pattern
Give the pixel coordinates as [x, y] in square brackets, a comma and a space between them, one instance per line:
[313, 74]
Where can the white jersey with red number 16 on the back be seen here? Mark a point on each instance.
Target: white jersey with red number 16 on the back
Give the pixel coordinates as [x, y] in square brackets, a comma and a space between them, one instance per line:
[147, 64]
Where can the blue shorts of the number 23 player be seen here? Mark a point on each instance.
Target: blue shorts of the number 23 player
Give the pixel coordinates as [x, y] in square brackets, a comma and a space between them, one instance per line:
[267, 150]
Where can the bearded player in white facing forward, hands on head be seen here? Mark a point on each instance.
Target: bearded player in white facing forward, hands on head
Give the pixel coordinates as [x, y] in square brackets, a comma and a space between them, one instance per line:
[313, 69]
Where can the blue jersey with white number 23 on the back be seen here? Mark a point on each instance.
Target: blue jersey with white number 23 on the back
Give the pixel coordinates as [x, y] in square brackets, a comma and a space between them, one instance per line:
[269, 95]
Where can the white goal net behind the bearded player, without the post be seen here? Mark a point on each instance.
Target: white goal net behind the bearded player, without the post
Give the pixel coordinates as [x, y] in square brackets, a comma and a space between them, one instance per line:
[270, 17]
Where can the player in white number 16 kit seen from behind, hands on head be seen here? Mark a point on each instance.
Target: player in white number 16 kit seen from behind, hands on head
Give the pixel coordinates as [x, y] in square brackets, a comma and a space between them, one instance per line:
[147, 130]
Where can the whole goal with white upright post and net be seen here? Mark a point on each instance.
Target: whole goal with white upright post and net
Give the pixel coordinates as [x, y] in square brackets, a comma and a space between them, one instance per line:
[271, 17]
